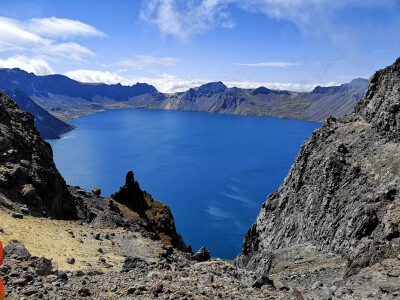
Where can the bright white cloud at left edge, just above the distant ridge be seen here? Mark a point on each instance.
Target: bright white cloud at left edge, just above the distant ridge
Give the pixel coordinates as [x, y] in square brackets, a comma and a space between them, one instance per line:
[34, 65]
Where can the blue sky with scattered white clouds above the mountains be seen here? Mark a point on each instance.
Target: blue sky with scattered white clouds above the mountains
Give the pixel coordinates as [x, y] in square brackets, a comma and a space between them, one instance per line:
[175, 44]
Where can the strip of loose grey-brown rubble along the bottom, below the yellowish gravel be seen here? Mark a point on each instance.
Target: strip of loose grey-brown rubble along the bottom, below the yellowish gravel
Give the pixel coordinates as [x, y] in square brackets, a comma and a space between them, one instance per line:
[166, 277]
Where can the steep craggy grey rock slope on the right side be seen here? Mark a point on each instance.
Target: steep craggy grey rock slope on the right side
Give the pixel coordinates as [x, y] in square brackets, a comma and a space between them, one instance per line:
[333, 227]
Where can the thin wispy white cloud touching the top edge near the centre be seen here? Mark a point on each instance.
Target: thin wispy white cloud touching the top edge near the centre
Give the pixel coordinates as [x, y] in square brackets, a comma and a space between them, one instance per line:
[185, 18]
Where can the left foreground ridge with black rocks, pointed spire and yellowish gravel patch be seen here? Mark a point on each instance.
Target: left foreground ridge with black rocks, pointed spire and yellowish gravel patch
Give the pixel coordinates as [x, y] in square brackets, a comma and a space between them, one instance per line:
[62, 242]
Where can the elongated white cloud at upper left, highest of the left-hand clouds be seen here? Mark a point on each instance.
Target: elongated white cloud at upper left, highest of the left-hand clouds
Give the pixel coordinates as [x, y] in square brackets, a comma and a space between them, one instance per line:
[63, 28]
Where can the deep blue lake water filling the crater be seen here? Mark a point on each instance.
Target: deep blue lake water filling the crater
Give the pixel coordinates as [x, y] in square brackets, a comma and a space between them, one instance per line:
[213, 170]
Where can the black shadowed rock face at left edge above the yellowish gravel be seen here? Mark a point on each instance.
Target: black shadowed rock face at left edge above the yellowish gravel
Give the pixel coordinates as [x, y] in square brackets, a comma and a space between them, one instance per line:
[28, 174]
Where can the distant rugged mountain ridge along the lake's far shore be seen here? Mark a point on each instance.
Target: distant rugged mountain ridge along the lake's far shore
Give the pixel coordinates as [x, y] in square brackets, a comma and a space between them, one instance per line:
[66, 98]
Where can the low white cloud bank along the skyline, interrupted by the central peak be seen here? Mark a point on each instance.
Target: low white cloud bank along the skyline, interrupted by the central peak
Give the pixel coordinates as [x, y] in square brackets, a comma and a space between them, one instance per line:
[171, 83]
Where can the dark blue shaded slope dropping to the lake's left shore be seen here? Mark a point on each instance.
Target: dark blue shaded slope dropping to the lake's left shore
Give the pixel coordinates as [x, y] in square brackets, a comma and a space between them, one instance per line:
[49, 126]
